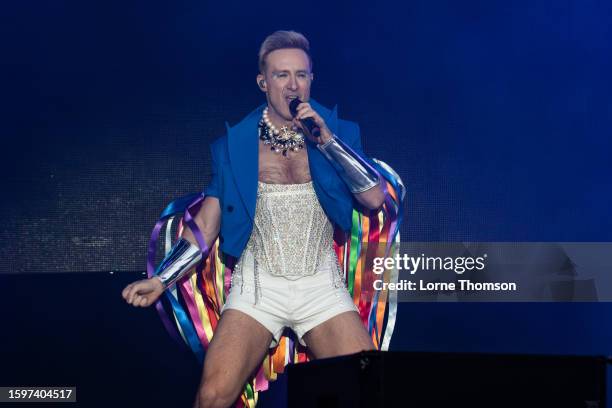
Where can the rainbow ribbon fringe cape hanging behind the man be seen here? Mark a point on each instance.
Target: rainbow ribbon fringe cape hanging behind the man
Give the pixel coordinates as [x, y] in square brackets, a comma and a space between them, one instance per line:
[190, 310]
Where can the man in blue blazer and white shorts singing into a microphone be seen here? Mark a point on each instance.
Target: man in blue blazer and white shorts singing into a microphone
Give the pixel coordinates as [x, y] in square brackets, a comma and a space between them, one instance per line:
[278, 191]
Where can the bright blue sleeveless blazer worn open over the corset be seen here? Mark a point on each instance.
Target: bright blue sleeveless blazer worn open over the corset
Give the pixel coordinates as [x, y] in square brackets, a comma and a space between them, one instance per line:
[235, 174]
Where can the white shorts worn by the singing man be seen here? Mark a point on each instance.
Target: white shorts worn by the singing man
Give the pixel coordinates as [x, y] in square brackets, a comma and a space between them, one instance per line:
[299, 304]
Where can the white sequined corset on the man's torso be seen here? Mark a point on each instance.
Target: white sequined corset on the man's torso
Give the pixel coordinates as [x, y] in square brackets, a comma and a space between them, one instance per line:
[292, 236]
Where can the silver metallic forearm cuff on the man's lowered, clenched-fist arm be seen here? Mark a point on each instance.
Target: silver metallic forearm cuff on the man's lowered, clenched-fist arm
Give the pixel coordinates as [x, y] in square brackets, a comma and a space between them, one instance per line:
[182, 257]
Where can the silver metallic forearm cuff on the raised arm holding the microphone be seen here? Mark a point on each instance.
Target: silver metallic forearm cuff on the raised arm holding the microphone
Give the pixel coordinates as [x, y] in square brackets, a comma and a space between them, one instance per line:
[352, 168]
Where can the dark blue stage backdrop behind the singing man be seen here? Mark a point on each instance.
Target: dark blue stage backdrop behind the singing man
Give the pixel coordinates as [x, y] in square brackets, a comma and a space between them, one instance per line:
[497, 115]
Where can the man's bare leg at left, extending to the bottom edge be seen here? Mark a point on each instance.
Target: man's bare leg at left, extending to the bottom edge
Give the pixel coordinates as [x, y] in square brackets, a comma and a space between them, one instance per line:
[239, 345]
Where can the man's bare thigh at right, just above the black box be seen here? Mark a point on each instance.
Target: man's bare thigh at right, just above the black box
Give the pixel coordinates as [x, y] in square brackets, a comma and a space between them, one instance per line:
[342, 334]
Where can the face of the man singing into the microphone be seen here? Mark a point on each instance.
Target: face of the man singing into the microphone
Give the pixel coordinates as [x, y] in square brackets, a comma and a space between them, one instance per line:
[287, 77]
